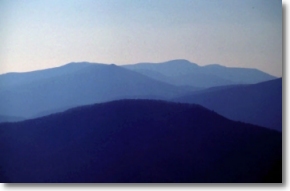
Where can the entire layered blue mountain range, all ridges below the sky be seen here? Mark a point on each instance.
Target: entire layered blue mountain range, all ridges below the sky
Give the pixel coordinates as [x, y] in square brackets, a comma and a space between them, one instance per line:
[170, 122]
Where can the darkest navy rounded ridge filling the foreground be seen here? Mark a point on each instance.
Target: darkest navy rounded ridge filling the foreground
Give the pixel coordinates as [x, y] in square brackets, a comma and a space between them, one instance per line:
[138, 141]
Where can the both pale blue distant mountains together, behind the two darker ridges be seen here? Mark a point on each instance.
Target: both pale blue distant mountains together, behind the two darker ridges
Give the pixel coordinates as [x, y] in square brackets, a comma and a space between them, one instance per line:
[39, 93]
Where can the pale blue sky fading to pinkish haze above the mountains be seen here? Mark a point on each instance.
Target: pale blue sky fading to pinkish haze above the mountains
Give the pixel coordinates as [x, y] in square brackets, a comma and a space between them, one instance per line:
[38, 34]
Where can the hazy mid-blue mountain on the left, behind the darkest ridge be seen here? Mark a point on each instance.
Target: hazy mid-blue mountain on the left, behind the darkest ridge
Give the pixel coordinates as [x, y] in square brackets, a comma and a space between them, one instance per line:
[77, 84]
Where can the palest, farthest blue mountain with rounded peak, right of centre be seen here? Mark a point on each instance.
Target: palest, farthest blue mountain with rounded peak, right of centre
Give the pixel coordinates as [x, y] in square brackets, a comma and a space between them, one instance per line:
[183, 72]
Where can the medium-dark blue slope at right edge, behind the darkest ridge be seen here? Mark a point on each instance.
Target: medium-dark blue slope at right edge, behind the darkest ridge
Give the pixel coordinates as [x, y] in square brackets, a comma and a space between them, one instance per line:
[259, 104]
